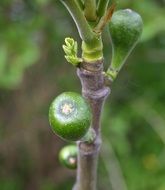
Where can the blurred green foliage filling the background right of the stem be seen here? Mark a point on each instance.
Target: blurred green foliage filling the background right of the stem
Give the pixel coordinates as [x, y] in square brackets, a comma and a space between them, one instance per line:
[134, 118]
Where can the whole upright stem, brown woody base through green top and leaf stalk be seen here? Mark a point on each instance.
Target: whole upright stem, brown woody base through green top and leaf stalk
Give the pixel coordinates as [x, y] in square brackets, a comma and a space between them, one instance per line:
[94, 90]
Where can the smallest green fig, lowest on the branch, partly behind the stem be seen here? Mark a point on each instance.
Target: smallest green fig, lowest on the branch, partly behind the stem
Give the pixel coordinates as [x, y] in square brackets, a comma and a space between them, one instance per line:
[68, 156]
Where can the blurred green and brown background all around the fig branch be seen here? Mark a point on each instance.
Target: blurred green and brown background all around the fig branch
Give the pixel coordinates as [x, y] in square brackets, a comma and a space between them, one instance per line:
[33, 71]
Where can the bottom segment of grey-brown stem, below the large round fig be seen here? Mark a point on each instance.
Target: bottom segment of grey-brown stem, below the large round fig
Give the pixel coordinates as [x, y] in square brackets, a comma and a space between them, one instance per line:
[87, 166]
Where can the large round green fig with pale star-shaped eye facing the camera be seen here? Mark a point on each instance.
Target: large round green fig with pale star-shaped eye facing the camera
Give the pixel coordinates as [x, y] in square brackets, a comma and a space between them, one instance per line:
[70, 116]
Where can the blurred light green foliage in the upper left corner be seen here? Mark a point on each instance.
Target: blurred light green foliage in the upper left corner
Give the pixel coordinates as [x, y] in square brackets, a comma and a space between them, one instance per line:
[18, 41]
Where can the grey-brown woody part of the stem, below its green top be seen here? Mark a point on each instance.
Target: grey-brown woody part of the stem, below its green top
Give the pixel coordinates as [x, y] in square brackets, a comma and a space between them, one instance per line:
[95, 91]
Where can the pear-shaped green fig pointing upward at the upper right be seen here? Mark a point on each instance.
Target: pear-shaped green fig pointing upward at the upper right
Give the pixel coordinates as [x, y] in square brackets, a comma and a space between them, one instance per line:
[125, 29]
